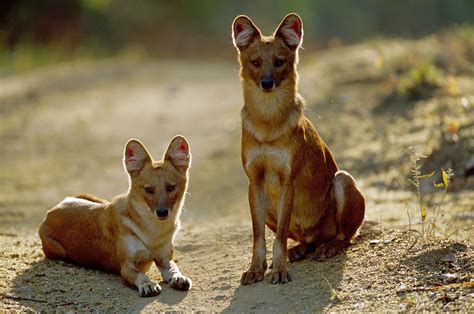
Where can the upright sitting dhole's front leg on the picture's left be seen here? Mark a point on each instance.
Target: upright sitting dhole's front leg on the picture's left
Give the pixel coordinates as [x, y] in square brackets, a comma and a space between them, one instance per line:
[258, 265]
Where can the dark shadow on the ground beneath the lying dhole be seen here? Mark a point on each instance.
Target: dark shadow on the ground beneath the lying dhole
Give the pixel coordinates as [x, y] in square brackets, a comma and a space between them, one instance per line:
[55, 285]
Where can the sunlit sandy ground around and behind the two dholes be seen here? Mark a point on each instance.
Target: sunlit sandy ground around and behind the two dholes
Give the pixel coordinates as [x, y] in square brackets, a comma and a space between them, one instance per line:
[62, 132]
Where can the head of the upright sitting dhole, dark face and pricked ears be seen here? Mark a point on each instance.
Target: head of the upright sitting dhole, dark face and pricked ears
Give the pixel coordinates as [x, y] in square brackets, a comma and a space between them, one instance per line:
[268, 61]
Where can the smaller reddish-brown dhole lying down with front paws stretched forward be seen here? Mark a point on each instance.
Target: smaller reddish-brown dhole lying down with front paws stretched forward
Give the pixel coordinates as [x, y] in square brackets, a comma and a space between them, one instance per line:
[127, 235]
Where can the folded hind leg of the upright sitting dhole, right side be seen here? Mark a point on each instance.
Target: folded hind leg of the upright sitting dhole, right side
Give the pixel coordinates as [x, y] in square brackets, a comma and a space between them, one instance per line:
[349, 215]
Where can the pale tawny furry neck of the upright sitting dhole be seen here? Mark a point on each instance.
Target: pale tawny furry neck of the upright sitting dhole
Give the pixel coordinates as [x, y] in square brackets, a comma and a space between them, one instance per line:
[268, 116]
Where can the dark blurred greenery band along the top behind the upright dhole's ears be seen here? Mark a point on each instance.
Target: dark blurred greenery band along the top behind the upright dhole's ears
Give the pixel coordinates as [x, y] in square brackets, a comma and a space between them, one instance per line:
[50, 30]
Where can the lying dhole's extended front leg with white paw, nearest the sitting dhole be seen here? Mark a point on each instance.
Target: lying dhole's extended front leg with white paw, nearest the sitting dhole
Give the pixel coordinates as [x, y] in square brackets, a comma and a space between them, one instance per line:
[170, 271]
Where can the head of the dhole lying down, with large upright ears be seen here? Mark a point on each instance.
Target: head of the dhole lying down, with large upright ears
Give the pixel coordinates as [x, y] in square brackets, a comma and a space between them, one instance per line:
[159, 185]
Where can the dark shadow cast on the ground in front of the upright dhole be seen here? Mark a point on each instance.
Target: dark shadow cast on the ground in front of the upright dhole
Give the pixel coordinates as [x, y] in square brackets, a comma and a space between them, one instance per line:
[311, 289]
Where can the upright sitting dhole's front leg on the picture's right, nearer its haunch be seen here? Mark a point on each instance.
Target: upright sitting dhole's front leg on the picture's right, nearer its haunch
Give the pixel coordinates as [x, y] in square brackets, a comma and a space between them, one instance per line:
[280, 253]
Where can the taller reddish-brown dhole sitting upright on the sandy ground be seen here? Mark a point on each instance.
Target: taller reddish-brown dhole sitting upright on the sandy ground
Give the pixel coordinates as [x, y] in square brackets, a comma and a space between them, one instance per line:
[295, 186]
